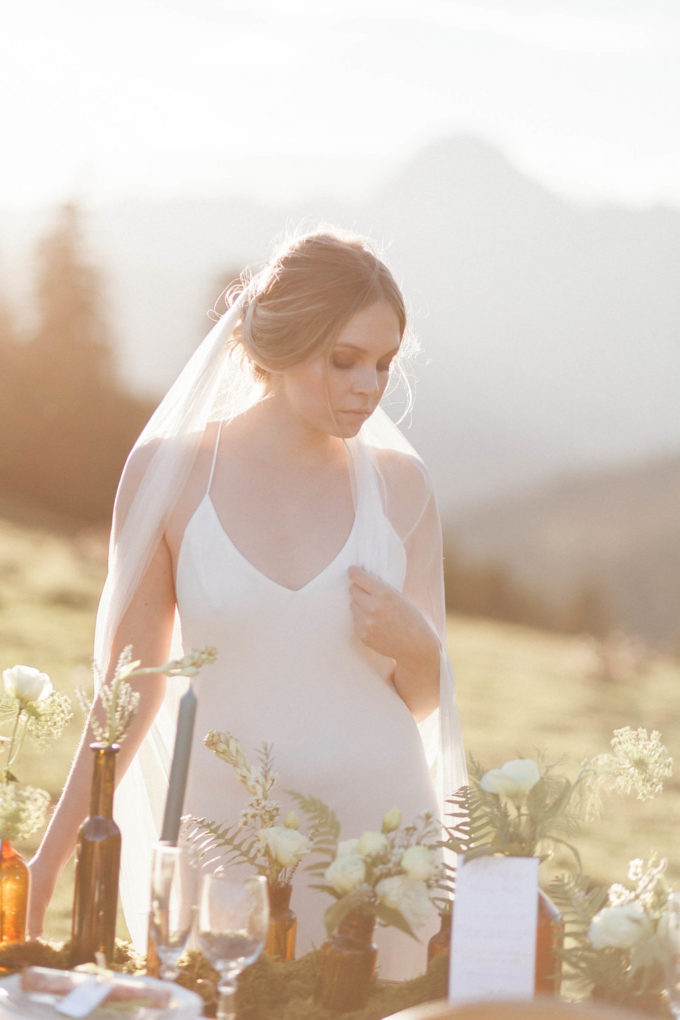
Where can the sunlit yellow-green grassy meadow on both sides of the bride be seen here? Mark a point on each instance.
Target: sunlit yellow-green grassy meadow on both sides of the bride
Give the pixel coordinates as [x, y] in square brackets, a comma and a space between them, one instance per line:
[520, 692]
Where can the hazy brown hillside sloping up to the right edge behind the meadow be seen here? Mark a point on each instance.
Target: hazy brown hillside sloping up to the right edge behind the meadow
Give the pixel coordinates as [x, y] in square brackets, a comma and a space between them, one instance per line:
[617, 528]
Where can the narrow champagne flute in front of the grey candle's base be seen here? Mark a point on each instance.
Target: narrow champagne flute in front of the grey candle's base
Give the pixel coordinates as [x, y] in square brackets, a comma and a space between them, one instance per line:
[174, 888]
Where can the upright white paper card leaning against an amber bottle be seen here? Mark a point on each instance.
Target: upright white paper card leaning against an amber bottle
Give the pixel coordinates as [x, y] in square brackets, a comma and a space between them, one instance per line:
[494, 937]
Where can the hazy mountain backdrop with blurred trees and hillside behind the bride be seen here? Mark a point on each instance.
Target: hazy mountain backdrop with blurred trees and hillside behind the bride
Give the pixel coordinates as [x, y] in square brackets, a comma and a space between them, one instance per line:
[546, 390]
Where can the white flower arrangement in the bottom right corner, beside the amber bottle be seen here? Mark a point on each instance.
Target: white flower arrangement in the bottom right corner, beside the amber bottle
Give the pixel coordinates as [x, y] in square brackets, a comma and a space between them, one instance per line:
[617, 936]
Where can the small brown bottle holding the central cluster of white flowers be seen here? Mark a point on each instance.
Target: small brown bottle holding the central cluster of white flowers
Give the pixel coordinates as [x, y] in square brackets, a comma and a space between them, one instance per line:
[348, 961]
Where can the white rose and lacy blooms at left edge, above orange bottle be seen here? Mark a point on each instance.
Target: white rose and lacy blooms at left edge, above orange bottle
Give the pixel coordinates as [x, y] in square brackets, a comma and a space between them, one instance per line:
[32, 708]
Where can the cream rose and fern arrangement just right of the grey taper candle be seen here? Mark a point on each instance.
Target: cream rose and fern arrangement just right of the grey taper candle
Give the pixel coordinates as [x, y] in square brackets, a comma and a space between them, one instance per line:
[259, 839]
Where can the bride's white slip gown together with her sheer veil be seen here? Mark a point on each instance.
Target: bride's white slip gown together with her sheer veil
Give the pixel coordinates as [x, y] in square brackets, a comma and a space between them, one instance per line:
[290, 671]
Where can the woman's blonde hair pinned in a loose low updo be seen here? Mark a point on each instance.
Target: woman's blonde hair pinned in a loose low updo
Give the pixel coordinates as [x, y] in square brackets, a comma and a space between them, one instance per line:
[304, 296]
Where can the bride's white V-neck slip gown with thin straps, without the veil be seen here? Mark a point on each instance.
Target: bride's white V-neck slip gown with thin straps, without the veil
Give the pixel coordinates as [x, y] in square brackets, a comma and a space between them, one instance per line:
[292, 673]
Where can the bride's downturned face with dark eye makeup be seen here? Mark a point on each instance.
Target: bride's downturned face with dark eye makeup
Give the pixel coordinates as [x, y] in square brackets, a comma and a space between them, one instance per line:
[335, 392]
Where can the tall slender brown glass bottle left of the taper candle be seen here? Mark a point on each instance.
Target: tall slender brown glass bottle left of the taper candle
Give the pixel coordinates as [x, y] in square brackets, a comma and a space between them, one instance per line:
[97, 866]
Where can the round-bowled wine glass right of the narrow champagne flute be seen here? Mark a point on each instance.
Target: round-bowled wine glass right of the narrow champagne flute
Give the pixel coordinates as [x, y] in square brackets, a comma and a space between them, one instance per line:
[234, 915]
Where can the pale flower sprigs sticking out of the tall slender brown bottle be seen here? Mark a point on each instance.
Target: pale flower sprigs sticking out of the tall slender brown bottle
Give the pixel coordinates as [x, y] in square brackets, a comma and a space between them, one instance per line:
[119, 700]
